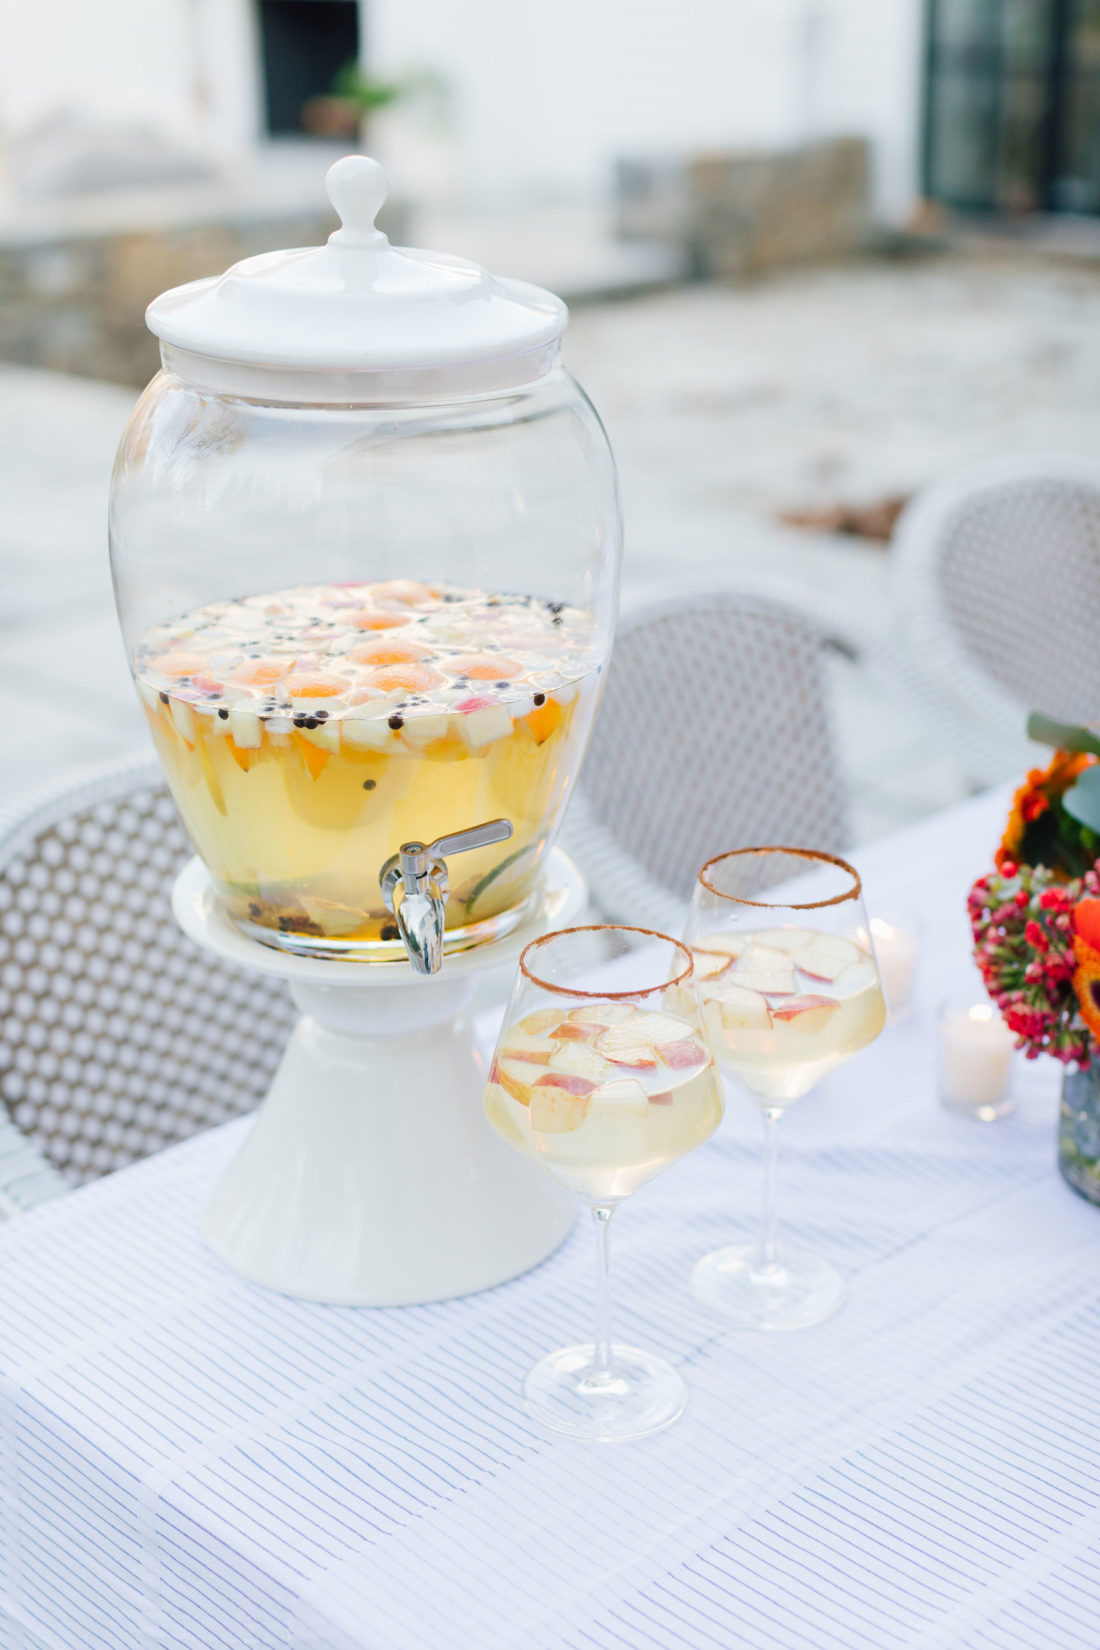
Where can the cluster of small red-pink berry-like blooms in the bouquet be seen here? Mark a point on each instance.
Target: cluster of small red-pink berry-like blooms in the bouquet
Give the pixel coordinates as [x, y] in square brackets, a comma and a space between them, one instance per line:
[1023, 926]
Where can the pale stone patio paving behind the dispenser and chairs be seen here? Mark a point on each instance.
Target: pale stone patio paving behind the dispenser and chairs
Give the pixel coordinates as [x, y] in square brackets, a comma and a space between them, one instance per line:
[725, 407]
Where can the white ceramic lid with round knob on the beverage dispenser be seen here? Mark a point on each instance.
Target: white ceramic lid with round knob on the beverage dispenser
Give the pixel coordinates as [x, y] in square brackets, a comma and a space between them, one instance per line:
[359, 303]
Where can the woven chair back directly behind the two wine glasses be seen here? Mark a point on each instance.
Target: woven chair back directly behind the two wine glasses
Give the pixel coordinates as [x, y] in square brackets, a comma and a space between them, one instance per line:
[715, 733]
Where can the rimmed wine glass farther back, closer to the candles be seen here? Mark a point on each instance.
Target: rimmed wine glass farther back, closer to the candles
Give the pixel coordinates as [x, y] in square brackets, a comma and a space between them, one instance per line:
[791, 989]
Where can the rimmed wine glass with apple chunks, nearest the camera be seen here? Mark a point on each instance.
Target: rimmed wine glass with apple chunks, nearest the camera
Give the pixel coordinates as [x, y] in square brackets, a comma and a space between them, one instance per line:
[603, 1075]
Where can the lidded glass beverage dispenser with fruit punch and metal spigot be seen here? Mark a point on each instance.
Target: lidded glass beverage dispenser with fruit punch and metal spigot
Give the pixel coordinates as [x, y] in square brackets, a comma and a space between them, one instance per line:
[365, 540]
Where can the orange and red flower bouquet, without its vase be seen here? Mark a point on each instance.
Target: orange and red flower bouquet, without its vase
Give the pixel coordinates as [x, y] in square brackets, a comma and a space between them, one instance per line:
[1037, 917]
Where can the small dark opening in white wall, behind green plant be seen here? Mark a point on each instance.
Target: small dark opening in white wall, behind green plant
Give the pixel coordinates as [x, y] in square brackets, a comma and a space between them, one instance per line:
[304, 45]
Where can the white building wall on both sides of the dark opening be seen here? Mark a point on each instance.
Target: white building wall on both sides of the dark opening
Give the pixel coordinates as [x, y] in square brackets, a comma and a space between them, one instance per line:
[543, 98]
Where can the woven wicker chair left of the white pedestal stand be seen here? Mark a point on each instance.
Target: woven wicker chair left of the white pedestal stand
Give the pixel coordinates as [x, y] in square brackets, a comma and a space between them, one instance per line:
[118, 1037]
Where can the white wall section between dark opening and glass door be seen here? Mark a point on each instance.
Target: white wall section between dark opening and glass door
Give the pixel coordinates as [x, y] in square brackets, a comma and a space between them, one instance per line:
[547, 98]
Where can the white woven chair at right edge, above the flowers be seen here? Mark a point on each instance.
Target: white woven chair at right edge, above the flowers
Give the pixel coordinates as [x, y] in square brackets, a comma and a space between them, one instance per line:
[999, 605]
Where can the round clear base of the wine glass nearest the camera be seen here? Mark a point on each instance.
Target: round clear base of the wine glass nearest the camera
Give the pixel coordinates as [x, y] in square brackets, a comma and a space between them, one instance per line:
[636, 1397]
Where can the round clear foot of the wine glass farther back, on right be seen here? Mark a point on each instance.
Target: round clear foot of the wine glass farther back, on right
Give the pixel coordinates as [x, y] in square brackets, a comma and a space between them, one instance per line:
[799, 1291]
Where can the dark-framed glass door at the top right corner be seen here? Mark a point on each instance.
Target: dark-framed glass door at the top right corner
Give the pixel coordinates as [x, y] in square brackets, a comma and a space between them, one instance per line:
[1013, 105]
